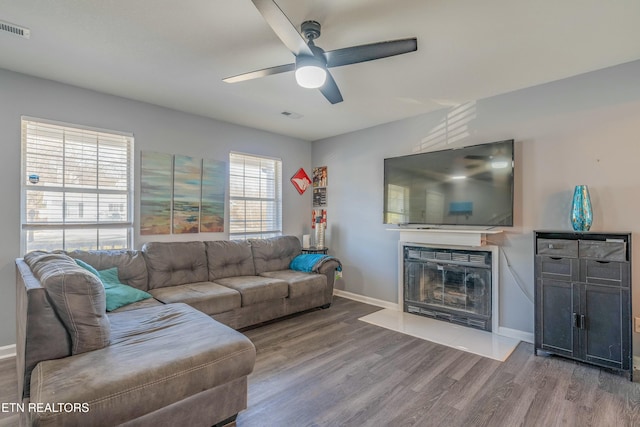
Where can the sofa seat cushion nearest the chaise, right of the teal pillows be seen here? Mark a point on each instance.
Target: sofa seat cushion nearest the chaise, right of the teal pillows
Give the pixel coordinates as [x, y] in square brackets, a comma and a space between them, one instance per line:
[208, 297]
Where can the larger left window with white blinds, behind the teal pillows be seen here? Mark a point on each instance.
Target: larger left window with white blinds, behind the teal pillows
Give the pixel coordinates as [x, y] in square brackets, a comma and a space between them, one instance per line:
[77, 187]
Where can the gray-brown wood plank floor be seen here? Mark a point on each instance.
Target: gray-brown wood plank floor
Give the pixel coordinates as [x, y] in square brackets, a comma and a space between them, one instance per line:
[326, 368]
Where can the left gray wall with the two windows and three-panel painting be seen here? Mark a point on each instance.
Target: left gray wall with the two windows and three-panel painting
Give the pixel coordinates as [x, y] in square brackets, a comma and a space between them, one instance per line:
[155, 129]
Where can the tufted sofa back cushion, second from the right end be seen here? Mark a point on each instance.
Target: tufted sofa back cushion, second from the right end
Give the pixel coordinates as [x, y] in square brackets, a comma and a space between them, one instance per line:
[229, 259]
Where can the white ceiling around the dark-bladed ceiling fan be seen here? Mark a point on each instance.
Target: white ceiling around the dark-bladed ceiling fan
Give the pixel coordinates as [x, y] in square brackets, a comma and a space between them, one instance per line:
[175, 53]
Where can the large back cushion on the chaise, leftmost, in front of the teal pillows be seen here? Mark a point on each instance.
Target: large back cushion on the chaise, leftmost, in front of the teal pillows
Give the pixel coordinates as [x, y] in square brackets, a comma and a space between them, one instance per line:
[77, 297]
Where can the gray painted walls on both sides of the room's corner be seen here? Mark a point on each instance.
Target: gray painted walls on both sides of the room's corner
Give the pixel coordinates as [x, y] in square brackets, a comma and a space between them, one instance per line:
[581, 130]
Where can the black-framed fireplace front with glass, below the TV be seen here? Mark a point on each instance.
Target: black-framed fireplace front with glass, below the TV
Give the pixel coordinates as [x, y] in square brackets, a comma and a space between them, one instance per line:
[448, 284]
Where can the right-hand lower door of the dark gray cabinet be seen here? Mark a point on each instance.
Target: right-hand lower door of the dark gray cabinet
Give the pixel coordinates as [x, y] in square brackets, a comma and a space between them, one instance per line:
[605, 326]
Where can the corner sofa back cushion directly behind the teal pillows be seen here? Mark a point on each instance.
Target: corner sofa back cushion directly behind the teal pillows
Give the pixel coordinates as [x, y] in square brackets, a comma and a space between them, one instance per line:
[132, 269]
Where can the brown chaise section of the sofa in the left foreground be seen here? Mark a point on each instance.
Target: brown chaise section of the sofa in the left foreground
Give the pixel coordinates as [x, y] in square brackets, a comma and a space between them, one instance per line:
[157, 365]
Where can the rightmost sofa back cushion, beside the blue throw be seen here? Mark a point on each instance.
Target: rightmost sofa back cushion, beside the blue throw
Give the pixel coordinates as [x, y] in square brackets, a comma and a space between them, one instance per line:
[275, 253]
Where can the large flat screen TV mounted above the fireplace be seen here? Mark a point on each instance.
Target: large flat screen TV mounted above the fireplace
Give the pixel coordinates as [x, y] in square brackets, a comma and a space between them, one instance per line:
[470, 186]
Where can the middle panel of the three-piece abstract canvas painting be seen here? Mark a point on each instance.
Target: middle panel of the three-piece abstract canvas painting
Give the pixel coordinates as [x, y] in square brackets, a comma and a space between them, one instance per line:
[186, 194]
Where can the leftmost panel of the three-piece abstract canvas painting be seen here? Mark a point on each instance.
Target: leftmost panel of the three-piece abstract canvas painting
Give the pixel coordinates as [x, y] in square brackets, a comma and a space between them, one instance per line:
[155, 193]
